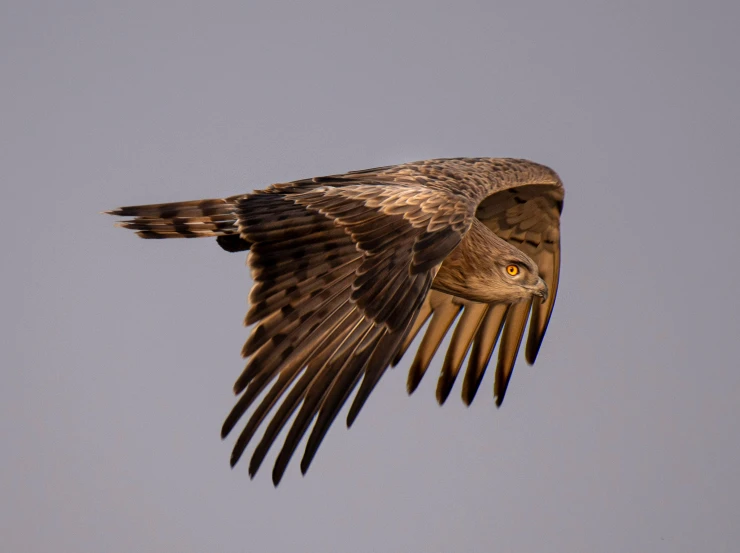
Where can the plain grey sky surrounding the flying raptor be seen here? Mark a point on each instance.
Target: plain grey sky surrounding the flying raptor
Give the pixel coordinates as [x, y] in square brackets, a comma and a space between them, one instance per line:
[120, 354]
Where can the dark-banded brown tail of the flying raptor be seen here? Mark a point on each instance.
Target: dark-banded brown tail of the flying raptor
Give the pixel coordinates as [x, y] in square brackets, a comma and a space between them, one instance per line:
[192, 219]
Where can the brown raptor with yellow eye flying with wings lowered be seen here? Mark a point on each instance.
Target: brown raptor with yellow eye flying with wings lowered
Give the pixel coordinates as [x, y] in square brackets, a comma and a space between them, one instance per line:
[348, 269]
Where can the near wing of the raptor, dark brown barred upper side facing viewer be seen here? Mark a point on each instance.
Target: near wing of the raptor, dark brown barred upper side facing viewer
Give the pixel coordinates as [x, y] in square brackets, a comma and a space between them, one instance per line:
[340, 270]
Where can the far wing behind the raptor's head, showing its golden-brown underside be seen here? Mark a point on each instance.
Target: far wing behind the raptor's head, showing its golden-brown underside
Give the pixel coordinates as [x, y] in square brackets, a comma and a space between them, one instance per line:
[527, 216]
